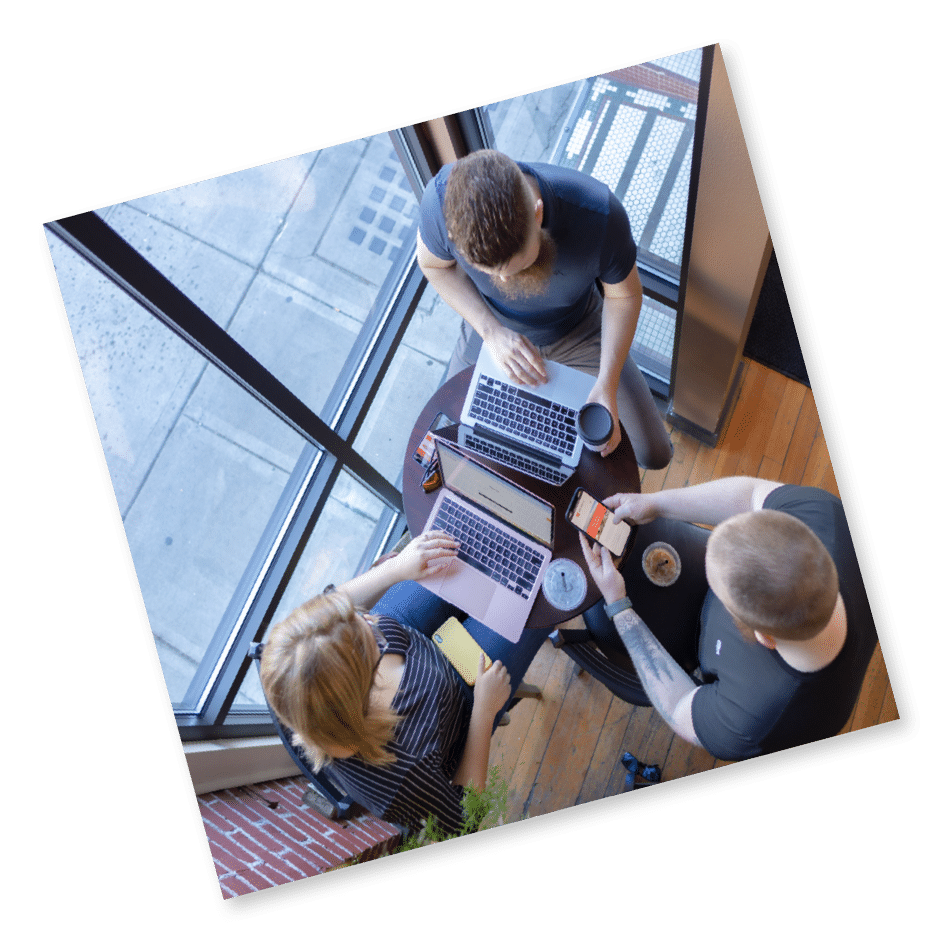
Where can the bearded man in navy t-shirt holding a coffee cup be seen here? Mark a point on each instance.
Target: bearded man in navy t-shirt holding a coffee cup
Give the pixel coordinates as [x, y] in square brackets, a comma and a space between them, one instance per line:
[516, 250]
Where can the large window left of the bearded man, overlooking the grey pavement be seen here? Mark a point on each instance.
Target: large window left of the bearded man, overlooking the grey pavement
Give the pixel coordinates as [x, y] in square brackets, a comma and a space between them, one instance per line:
[232, 515]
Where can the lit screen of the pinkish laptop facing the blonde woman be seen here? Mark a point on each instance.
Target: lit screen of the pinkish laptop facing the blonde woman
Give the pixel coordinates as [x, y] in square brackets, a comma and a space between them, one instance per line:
[497, 495]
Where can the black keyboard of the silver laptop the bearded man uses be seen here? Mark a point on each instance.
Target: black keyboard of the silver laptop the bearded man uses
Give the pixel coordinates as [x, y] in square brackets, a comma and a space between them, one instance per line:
[546, 424]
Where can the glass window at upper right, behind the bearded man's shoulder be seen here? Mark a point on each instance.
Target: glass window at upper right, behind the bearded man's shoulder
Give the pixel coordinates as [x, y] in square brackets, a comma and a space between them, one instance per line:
[632, 129]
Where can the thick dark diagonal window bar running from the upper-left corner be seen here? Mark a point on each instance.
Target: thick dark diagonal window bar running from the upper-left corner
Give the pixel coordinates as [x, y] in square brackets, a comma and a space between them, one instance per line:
[104, 249]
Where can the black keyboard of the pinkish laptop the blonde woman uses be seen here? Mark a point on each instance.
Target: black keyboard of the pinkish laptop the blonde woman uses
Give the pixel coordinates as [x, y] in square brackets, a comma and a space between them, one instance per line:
[498, 555]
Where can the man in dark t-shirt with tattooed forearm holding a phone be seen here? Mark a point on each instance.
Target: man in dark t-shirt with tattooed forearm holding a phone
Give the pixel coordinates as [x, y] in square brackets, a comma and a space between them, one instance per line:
[786, 631]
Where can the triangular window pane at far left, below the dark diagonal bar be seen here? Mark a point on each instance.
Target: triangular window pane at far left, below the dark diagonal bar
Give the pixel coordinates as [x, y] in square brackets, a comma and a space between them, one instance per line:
[196, 464]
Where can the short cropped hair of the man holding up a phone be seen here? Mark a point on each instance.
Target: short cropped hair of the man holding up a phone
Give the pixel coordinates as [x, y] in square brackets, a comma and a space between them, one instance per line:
[780, 578]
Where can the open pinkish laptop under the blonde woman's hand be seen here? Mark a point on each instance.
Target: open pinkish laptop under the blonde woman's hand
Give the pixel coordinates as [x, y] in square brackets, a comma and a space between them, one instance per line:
[505, 537]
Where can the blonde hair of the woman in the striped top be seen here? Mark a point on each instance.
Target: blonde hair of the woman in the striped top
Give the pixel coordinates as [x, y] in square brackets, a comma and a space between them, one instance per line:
[317, 671]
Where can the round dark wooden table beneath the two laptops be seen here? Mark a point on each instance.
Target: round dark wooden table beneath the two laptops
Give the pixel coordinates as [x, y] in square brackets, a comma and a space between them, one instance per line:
[601, 477]
